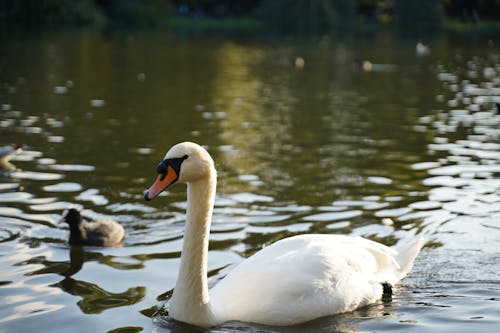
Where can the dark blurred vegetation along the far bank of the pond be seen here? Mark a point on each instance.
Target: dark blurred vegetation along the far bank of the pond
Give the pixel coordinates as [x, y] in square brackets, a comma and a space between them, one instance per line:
[413, 16]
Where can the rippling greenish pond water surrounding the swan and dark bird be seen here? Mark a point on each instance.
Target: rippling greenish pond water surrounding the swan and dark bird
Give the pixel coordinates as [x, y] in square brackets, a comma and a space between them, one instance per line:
[410, 147]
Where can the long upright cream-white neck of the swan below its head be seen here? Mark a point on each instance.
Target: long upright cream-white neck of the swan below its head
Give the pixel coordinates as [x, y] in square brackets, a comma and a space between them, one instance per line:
[190, 301]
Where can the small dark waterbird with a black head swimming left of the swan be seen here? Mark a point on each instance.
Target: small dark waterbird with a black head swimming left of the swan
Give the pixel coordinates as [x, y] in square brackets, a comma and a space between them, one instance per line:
[103, 232]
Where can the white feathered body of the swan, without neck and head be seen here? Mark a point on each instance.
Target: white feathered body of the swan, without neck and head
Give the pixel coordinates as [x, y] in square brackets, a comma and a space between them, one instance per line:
[305, 277]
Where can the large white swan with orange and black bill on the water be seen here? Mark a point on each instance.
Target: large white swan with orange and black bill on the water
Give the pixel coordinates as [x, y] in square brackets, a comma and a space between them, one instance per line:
[294, 280]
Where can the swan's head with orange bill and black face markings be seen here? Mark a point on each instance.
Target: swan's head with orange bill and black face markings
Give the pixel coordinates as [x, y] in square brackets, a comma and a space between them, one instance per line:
[185, 162]
